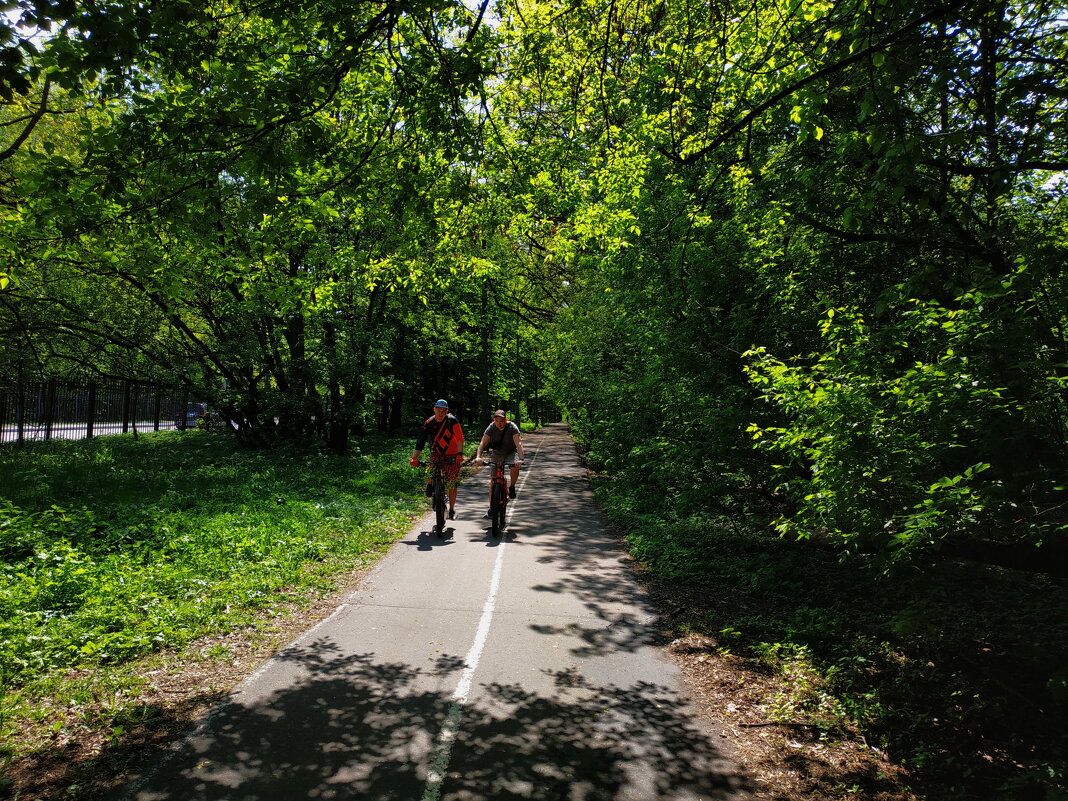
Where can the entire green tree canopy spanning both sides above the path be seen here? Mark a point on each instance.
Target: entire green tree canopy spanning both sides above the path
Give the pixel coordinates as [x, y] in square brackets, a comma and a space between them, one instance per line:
[793, 255]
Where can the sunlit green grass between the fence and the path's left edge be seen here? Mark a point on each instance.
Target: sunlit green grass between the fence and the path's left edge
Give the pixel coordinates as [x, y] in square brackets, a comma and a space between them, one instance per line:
[119, 547]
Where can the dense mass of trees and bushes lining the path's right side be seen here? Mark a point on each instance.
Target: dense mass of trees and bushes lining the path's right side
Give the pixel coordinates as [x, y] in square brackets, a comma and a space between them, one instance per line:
[842, 191]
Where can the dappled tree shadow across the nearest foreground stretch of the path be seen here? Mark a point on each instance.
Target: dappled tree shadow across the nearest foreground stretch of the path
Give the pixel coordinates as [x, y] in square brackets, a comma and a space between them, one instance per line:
[352, 729]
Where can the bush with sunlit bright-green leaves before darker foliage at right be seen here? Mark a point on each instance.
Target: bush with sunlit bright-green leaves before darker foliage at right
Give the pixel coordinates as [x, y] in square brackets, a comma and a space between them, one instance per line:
[896, 439]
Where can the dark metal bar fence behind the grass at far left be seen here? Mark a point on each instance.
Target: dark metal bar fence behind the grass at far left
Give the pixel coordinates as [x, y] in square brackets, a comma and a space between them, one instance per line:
[55, 410]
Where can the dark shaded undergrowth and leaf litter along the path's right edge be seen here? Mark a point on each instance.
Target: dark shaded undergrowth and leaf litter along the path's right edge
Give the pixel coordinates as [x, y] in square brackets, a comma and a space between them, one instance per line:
[956, 670]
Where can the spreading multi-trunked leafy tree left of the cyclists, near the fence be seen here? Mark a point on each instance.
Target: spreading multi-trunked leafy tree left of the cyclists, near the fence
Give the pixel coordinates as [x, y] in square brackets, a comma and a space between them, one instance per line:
[269, 175]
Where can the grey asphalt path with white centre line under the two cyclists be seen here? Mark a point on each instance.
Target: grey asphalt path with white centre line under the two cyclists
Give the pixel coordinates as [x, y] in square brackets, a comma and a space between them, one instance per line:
[469, 670]
